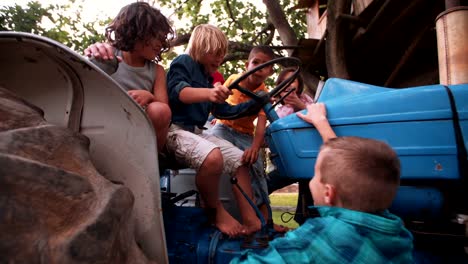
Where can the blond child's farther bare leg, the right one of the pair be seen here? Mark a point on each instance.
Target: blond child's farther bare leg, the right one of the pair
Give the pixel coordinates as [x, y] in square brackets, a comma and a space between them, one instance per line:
[249, 218]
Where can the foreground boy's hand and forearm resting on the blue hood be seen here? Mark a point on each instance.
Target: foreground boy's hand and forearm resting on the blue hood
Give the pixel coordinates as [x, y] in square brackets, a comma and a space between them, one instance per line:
[317, 116]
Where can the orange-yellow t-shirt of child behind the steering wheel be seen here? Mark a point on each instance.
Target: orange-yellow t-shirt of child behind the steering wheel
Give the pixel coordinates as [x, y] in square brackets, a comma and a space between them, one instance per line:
[245, 124]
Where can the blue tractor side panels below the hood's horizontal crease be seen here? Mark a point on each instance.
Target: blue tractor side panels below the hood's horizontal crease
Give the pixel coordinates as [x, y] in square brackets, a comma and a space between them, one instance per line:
[427, 150]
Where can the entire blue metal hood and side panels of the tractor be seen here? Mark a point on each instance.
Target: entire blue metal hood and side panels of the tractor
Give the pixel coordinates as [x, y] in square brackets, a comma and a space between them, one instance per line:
[417, 123]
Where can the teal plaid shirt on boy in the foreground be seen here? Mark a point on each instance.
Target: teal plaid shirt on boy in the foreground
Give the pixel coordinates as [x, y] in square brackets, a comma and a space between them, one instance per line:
[340, 236]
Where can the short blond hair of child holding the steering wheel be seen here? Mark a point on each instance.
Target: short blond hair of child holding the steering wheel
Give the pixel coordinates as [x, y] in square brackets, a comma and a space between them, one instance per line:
[207, 39]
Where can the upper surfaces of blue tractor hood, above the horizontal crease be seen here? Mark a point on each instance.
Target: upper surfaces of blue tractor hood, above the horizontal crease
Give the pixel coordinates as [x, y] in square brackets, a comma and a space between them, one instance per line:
[378, 105]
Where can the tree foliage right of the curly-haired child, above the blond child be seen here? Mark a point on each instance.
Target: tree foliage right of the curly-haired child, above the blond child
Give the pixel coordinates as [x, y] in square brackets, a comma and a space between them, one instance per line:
[245, 23]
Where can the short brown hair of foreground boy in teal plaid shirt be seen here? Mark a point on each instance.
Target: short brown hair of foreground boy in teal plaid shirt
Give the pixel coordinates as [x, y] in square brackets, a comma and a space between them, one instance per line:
[365, 172]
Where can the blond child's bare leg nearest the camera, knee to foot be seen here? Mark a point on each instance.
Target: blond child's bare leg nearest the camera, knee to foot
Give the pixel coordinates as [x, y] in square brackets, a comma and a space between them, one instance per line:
[207, 181]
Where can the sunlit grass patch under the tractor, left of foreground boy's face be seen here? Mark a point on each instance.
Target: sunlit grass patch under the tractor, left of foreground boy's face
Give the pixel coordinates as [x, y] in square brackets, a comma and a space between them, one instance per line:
[286, 199]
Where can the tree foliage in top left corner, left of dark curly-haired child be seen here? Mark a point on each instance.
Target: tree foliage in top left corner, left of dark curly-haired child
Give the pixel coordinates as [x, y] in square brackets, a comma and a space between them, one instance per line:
[62, 23]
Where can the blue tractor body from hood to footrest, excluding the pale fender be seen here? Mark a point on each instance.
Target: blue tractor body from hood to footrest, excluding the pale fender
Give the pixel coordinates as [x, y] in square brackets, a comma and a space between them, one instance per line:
[425, 125]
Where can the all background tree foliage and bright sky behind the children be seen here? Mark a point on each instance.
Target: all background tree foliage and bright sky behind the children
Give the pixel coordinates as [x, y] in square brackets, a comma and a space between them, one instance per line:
[245, 23]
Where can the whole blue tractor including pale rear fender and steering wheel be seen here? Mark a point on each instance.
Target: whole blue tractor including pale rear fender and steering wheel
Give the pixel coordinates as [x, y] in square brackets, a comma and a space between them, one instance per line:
[426, 125]
